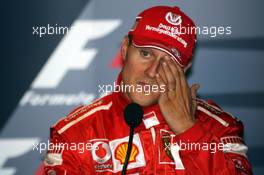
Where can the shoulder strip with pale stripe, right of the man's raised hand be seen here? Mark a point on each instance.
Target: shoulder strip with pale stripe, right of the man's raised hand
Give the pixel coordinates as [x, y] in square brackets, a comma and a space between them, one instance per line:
[213, 111]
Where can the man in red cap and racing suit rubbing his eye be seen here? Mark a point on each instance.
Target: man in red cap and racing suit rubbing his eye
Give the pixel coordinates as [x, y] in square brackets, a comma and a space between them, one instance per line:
[180, 134]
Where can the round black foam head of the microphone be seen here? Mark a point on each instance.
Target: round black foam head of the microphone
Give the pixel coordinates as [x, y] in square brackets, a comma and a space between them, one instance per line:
[133, 114]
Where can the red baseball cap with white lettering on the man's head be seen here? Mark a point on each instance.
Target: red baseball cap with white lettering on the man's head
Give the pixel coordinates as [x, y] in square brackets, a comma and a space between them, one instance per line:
[167, 29]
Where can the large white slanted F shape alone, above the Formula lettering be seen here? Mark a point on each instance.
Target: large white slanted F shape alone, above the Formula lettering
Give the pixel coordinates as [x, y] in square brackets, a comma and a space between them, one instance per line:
[70, 53]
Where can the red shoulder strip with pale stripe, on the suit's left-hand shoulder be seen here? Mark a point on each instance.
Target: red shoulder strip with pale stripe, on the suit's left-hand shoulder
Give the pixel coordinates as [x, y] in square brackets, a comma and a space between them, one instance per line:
[83, 112]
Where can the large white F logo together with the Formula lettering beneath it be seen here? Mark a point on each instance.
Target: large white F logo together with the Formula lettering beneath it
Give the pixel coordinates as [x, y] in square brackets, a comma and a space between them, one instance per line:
[70, 54]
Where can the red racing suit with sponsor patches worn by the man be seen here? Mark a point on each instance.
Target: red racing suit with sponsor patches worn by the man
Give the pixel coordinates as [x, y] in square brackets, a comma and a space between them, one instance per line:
[95, 142]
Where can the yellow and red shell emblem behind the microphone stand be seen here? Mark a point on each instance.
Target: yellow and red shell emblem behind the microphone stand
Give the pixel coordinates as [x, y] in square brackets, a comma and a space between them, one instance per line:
[121, 150]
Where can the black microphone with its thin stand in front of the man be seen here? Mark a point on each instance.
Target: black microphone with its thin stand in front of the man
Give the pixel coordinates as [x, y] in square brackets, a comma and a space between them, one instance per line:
[133, 116]
